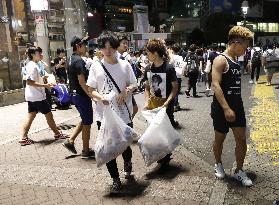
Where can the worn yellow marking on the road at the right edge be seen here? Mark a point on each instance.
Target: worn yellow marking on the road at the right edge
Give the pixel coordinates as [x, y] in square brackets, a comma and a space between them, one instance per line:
[264, 122]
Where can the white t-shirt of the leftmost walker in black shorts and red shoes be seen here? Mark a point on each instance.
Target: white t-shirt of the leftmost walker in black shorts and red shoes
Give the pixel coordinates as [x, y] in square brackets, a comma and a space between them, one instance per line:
[32, 93]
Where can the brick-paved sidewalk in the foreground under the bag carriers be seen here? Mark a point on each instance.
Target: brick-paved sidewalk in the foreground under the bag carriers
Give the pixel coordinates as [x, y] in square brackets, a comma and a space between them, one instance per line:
[46, 173]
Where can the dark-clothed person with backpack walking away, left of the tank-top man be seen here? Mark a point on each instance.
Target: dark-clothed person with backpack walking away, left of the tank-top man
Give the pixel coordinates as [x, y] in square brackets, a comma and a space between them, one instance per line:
[192, 70]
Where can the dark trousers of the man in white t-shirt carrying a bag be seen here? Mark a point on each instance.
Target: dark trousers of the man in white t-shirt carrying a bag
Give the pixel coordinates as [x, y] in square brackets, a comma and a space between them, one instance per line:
[112, 165]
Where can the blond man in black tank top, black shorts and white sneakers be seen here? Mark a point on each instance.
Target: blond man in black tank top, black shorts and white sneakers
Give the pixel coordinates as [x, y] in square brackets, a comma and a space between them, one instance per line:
[227, 109]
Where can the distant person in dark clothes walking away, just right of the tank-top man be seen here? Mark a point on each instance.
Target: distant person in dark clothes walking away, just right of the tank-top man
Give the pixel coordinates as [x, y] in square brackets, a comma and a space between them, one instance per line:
[256, 55]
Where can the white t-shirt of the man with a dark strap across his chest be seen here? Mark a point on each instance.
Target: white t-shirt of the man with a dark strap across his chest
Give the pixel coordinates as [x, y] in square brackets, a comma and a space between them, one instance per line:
[123, 75]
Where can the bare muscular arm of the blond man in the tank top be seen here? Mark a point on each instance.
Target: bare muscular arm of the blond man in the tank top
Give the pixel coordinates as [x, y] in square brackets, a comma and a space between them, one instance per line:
[218, 67]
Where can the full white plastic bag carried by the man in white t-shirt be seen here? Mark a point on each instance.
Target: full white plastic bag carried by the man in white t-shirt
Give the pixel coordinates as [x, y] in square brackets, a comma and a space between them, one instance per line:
[113, 137]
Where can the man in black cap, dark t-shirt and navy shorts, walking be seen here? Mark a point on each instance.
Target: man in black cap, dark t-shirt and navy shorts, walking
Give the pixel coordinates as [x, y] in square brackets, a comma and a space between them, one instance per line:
[78, 75]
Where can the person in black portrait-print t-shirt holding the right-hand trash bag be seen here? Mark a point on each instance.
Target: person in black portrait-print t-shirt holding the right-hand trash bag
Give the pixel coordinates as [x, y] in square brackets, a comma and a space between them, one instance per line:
[161, 84]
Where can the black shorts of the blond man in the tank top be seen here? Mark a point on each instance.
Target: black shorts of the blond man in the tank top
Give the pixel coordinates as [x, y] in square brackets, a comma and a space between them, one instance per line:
[220, 123]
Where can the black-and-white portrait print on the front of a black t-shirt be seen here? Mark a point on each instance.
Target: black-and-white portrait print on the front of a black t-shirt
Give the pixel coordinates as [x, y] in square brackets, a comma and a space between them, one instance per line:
[157, 82]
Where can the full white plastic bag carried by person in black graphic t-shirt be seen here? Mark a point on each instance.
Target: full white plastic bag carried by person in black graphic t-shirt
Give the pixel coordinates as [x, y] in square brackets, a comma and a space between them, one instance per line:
[160, 138]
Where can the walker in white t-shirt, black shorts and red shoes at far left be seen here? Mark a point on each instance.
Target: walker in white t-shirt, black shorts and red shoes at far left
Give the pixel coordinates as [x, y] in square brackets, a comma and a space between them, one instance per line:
[36, 97]
